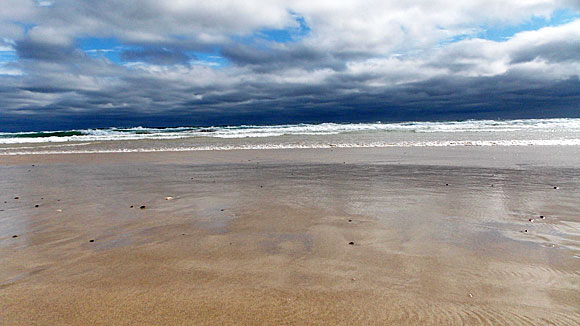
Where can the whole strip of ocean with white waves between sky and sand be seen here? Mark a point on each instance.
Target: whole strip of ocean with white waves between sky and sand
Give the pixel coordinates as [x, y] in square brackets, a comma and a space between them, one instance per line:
[528, 132]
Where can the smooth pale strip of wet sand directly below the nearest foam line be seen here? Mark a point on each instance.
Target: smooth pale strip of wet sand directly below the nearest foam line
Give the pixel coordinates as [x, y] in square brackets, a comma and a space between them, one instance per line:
[552, 156]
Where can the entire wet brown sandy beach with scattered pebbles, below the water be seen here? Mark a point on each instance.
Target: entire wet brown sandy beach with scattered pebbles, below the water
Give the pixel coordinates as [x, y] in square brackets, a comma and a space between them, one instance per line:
[264, 237]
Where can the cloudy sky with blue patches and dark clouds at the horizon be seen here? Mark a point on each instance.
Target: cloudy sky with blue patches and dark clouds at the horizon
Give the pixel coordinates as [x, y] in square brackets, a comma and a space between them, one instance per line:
[71, 64]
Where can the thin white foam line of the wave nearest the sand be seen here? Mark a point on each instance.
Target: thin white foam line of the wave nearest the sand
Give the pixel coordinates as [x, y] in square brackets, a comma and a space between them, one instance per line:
[540, 142]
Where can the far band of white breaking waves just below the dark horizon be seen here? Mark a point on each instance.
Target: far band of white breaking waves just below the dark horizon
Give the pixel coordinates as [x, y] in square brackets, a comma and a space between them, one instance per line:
[246, 131]
